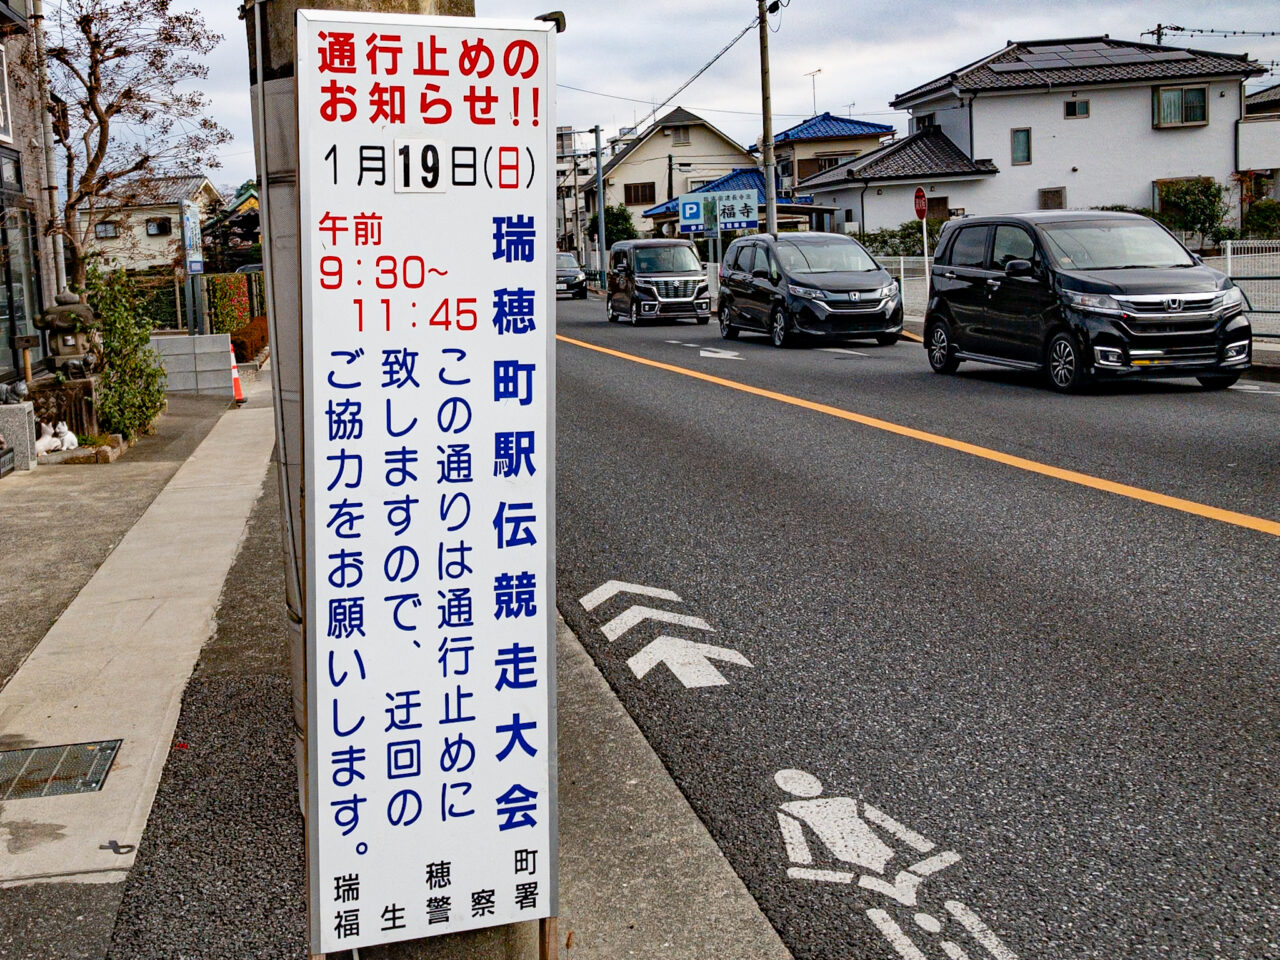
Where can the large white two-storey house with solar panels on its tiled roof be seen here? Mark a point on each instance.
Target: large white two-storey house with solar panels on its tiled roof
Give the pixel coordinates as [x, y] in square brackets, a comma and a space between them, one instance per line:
[1050, 125]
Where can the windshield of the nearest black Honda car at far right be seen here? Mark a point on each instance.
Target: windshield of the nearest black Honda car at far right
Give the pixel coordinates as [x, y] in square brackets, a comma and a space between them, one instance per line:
[1112, 245]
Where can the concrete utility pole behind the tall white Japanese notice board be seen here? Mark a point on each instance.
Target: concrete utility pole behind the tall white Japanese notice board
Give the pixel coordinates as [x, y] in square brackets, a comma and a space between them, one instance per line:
[271, 26]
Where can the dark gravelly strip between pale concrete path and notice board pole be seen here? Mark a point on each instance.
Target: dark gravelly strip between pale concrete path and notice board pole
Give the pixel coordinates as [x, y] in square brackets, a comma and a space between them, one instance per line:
[220, 874]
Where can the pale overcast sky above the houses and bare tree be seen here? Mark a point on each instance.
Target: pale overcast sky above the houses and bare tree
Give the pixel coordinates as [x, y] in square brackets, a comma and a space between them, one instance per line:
[867, 53]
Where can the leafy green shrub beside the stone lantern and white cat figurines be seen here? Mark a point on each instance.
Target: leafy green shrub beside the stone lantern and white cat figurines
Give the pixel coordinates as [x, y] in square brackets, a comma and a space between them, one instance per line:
[131, 387]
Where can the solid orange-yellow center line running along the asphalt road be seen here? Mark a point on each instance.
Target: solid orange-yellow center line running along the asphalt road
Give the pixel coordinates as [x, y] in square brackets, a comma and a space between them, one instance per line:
[1072, 477]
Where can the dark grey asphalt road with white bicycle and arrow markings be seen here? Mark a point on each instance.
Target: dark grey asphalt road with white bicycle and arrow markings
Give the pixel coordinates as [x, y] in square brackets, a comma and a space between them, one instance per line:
[1073, 688]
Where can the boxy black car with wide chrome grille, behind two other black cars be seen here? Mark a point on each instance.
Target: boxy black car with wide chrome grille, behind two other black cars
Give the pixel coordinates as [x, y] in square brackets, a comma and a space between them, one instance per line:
[657, 280]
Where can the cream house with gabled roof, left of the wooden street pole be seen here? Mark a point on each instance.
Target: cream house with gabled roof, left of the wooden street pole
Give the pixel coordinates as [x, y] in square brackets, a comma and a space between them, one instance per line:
[675, 156]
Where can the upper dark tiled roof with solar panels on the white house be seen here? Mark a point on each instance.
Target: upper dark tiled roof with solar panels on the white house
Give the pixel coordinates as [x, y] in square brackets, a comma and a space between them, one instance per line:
[1081, 62]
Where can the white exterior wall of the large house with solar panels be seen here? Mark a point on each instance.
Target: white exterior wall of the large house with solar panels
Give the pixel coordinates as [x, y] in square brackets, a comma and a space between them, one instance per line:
[1109, 158]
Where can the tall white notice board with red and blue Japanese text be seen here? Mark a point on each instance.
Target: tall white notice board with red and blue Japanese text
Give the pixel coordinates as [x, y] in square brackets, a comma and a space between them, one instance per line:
[427, 212]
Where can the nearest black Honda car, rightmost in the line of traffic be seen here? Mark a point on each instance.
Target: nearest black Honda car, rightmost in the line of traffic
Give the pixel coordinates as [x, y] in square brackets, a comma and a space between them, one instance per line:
[1082, 295]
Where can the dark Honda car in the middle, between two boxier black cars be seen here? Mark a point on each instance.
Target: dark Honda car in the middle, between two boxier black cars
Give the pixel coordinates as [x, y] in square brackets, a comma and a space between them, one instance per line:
[822, 285]
